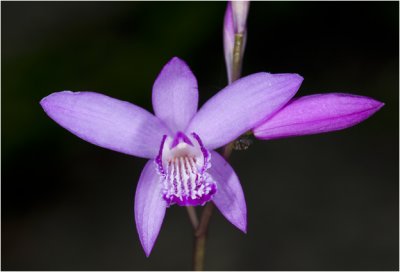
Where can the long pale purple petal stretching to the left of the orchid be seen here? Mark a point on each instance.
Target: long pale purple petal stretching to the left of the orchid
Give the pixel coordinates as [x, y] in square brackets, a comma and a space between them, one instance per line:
[106, 122]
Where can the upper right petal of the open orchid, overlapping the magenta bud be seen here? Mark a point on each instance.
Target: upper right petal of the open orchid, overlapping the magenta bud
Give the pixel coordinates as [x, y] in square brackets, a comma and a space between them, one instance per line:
[241, 106]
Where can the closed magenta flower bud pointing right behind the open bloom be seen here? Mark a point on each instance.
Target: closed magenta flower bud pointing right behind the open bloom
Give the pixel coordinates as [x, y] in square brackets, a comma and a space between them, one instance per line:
[317, 114]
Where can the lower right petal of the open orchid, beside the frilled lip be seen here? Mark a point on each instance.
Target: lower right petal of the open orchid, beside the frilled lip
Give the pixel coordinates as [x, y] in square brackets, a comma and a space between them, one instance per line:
[229, 198]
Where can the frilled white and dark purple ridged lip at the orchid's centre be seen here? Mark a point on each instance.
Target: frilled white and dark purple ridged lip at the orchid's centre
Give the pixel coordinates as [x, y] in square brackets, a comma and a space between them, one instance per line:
[182, 163]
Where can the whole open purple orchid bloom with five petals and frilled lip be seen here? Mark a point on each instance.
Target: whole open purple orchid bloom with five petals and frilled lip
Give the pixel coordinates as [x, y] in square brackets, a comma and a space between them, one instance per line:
[178, 140]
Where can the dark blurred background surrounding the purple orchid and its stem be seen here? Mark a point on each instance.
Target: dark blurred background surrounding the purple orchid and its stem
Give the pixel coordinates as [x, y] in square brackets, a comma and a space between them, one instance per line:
[321, 202]
